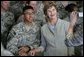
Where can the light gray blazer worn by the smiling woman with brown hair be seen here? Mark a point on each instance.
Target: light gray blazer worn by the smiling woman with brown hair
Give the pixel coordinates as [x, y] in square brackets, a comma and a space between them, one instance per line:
[53, 41]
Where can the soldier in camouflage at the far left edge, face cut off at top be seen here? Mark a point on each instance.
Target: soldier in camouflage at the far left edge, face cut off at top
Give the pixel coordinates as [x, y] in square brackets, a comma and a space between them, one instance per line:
[7, 20]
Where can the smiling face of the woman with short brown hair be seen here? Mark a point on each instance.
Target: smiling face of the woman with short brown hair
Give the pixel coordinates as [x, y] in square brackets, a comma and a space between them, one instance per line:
[52, 13]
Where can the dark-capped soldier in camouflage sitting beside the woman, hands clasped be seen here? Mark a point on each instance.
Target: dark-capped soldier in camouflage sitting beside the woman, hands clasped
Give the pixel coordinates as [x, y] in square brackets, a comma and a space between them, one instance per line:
[24, 34]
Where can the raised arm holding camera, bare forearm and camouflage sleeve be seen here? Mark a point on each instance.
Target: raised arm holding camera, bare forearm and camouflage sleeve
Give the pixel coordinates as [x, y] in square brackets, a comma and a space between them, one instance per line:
[70, 40]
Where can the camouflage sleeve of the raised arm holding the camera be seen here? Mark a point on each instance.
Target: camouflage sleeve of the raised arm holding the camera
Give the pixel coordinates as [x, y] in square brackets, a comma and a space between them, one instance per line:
[76, 39]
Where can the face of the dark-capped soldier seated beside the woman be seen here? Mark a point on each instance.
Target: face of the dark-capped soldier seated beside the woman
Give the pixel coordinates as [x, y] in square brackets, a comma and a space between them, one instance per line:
[29, 15]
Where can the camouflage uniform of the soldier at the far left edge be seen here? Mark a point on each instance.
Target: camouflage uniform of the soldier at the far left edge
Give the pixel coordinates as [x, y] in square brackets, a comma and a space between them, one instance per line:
[7, 20]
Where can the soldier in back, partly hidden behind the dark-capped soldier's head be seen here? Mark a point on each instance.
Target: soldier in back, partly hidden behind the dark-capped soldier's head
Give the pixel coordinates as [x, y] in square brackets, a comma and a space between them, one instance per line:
[38, 9]
